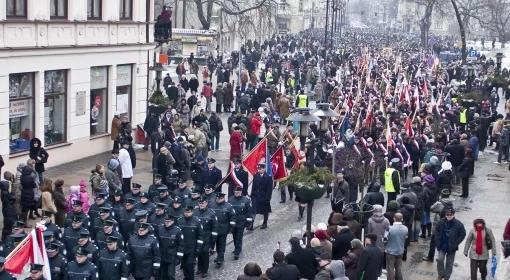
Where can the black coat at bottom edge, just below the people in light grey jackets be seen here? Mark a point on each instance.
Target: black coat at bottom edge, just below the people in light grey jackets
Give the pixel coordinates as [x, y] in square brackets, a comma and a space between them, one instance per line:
[370, 263]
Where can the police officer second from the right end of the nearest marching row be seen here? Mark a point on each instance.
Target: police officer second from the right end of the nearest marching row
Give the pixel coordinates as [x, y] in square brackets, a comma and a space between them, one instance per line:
[226, 219]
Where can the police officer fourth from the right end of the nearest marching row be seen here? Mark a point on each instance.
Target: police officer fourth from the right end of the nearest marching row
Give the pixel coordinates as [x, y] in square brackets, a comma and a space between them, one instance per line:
[193, 241]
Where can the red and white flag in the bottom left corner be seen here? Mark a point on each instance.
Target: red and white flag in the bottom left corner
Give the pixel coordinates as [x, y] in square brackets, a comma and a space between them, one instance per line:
[31, 250]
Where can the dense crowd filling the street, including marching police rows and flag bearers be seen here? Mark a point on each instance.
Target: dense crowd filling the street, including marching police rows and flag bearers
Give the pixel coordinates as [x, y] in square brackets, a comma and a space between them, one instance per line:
[405, 124]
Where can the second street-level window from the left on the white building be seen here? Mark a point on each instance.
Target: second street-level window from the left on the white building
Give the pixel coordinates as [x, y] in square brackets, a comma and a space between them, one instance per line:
[55, 88]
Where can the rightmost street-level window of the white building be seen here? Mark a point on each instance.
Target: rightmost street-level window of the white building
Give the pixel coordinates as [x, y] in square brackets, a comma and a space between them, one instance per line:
[124, 73]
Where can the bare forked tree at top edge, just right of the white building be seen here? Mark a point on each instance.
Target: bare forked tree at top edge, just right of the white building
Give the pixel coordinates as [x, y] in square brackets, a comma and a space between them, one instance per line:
[229, 7]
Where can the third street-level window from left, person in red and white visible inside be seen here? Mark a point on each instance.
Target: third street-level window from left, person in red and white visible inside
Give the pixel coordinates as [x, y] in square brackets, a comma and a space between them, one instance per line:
[98, 99]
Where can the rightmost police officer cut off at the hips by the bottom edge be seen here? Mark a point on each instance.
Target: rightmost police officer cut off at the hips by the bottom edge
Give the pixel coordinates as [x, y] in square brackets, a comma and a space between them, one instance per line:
[112, 262]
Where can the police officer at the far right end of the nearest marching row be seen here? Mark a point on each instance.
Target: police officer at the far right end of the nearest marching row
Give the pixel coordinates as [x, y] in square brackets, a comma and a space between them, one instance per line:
[242, 208]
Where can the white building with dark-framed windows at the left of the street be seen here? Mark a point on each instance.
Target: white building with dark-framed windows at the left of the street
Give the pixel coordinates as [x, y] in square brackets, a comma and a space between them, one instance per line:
[65, 67]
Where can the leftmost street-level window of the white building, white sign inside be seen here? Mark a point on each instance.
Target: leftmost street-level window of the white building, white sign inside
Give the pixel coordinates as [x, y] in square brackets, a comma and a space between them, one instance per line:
[21, 111]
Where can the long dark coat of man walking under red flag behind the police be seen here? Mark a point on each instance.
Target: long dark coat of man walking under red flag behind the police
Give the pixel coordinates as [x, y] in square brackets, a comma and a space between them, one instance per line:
[261, 192]
